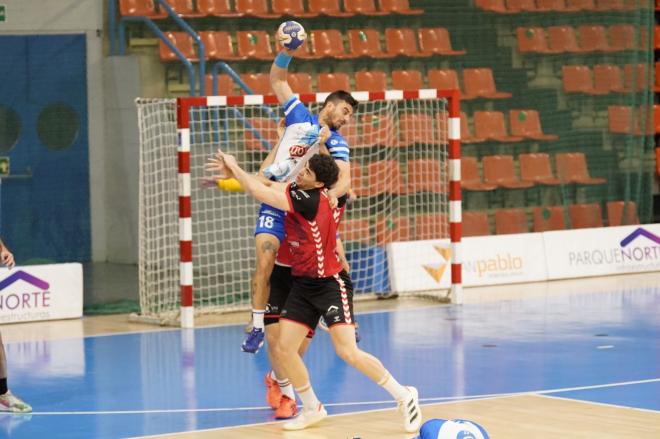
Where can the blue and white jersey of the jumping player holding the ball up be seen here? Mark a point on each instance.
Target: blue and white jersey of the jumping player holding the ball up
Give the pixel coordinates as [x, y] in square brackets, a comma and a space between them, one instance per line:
[300, 142]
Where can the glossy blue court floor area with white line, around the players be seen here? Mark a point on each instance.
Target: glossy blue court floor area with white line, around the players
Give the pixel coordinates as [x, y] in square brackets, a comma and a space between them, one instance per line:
[601, 346]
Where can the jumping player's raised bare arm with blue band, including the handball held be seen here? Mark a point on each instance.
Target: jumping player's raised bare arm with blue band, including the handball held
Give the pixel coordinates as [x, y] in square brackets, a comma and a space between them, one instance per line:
[291, 35]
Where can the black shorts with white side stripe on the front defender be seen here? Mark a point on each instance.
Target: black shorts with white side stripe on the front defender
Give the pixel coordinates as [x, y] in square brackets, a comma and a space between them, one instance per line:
[311, 298]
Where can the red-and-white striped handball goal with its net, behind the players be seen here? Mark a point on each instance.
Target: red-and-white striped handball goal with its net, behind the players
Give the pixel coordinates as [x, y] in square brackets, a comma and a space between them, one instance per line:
[196, 244]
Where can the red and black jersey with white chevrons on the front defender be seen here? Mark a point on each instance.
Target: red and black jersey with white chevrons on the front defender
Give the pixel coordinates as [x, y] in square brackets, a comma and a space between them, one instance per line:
[311, 233]
